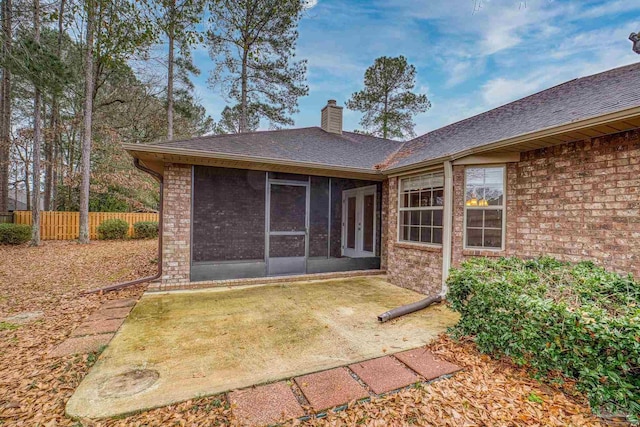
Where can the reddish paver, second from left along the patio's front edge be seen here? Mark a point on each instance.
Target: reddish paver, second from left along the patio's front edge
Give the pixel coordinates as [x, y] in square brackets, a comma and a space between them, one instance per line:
[327, 389]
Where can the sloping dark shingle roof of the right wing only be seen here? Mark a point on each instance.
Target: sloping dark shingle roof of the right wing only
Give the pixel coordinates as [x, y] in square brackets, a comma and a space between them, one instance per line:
[579, 99]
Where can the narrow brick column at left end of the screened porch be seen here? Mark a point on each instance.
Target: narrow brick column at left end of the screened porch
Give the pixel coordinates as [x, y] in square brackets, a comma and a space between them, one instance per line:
[176, 235]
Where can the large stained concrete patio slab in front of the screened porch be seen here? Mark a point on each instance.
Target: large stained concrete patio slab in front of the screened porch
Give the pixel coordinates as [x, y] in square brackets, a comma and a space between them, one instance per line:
[211, 341]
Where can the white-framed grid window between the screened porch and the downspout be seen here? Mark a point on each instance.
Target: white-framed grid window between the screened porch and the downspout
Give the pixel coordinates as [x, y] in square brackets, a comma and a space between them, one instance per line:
[421, 202]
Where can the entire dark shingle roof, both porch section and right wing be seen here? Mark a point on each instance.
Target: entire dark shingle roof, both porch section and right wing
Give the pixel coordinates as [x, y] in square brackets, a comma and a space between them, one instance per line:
[607, 92]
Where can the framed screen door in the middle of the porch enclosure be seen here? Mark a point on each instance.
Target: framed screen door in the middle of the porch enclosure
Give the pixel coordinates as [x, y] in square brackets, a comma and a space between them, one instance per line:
[288, 222]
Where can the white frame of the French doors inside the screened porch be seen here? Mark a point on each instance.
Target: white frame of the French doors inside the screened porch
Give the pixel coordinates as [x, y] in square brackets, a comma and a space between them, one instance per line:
[359, 193]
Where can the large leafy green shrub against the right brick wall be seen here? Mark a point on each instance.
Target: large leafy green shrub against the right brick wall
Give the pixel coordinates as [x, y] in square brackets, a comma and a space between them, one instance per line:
[574, 319]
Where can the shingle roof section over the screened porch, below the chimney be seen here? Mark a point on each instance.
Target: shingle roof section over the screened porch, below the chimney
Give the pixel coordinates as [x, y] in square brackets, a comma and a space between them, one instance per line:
[304, 145]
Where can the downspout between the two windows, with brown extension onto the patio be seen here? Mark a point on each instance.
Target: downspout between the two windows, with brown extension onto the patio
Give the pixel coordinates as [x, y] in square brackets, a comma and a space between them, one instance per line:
[447, 223]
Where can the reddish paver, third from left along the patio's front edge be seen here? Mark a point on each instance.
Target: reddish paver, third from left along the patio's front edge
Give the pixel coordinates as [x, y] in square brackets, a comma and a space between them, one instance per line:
[384, 374]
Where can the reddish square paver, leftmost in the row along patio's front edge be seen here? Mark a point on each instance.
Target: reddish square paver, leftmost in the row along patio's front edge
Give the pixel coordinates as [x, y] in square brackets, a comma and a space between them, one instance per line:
[265, 405]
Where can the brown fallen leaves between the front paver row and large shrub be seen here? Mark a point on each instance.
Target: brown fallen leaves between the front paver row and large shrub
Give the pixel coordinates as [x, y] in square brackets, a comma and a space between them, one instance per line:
[485, 393]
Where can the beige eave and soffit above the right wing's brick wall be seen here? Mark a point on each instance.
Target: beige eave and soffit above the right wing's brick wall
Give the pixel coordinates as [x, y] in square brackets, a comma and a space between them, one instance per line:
[594, 121]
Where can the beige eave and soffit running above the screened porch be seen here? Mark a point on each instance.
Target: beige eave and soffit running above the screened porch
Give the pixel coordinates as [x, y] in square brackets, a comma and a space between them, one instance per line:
[190, 156]
